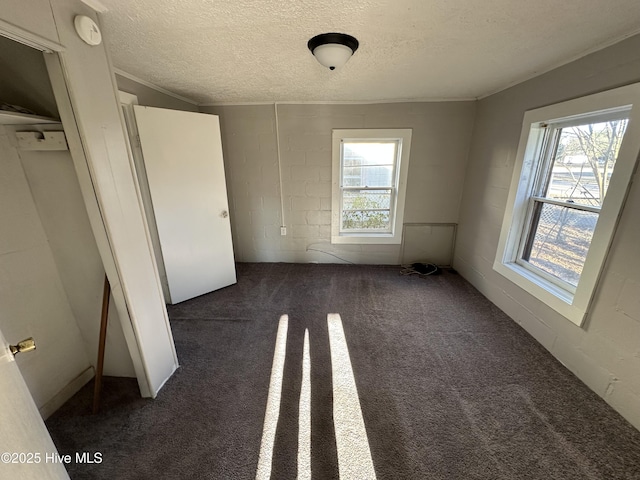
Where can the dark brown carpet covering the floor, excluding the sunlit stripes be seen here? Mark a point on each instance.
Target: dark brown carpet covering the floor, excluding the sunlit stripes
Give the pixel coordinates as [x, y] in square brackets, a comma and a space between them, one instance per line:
[450, 388]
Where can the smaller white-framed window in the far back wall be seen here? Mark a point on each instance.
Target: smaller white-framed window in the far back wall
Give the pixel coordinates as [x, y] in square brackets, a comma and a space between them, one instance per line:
[369, 180]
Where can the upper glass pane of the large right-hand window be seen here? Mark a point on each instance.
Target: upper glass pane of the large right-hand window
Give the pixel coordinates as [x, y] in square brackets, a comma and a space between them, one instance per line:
[584, 160]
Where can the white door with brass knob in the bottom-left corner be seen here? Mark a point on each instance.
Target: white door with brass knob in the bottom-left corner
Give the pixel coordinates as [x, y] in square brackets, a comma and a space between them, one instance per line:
[26, 449]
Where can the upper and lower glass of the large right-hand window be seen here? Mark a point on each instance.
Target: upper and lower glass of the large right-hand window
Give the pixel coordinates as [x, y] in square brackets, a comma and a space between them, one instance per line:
[576, 175]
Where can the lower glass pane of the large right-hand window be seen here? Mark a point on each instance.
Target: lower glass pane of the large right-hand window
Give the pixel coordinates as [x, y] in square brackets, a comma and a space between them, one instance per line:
[559, 240]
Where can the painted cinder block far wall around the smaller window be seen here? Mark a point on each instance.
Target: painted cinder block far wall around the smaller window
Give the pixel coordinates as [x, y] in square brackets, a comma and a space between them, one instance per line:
[440, 143]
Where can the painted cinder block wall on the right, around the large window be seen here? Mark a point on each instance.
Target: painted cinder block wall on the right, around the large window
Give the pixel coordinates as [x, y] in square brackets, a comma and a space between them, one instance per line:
[605, 352]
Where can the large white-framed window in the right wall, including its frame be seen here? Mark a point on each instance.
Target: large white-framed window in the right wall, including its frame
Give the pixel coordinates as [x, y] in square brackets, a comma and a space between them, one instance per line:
[572, 173]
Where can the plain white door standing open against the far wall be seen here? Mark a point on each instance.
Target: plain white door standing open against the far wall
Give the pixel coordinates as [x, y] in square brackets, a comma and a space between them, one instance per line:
[185, 170]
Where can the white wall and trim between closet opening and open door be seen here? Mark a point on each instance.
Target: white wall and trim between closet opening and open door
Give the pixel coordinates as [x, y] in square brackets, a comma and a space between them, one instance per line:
[85, 90]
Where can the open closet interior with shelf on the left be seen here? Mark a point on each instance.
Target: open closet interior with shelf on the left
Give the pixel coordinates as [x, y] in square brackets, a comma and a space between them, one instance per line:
[51, 268]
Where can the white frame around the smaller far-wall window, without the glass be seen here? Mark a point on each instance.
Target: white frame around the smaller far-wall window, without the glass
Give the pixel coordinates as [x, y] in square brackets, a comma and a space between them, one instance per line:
[401, 168]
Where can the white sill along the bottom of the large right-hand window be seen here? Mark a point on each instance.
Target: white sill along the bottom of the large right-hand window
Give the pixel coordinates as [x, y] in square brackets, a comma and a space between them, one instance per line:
[549, 293]
